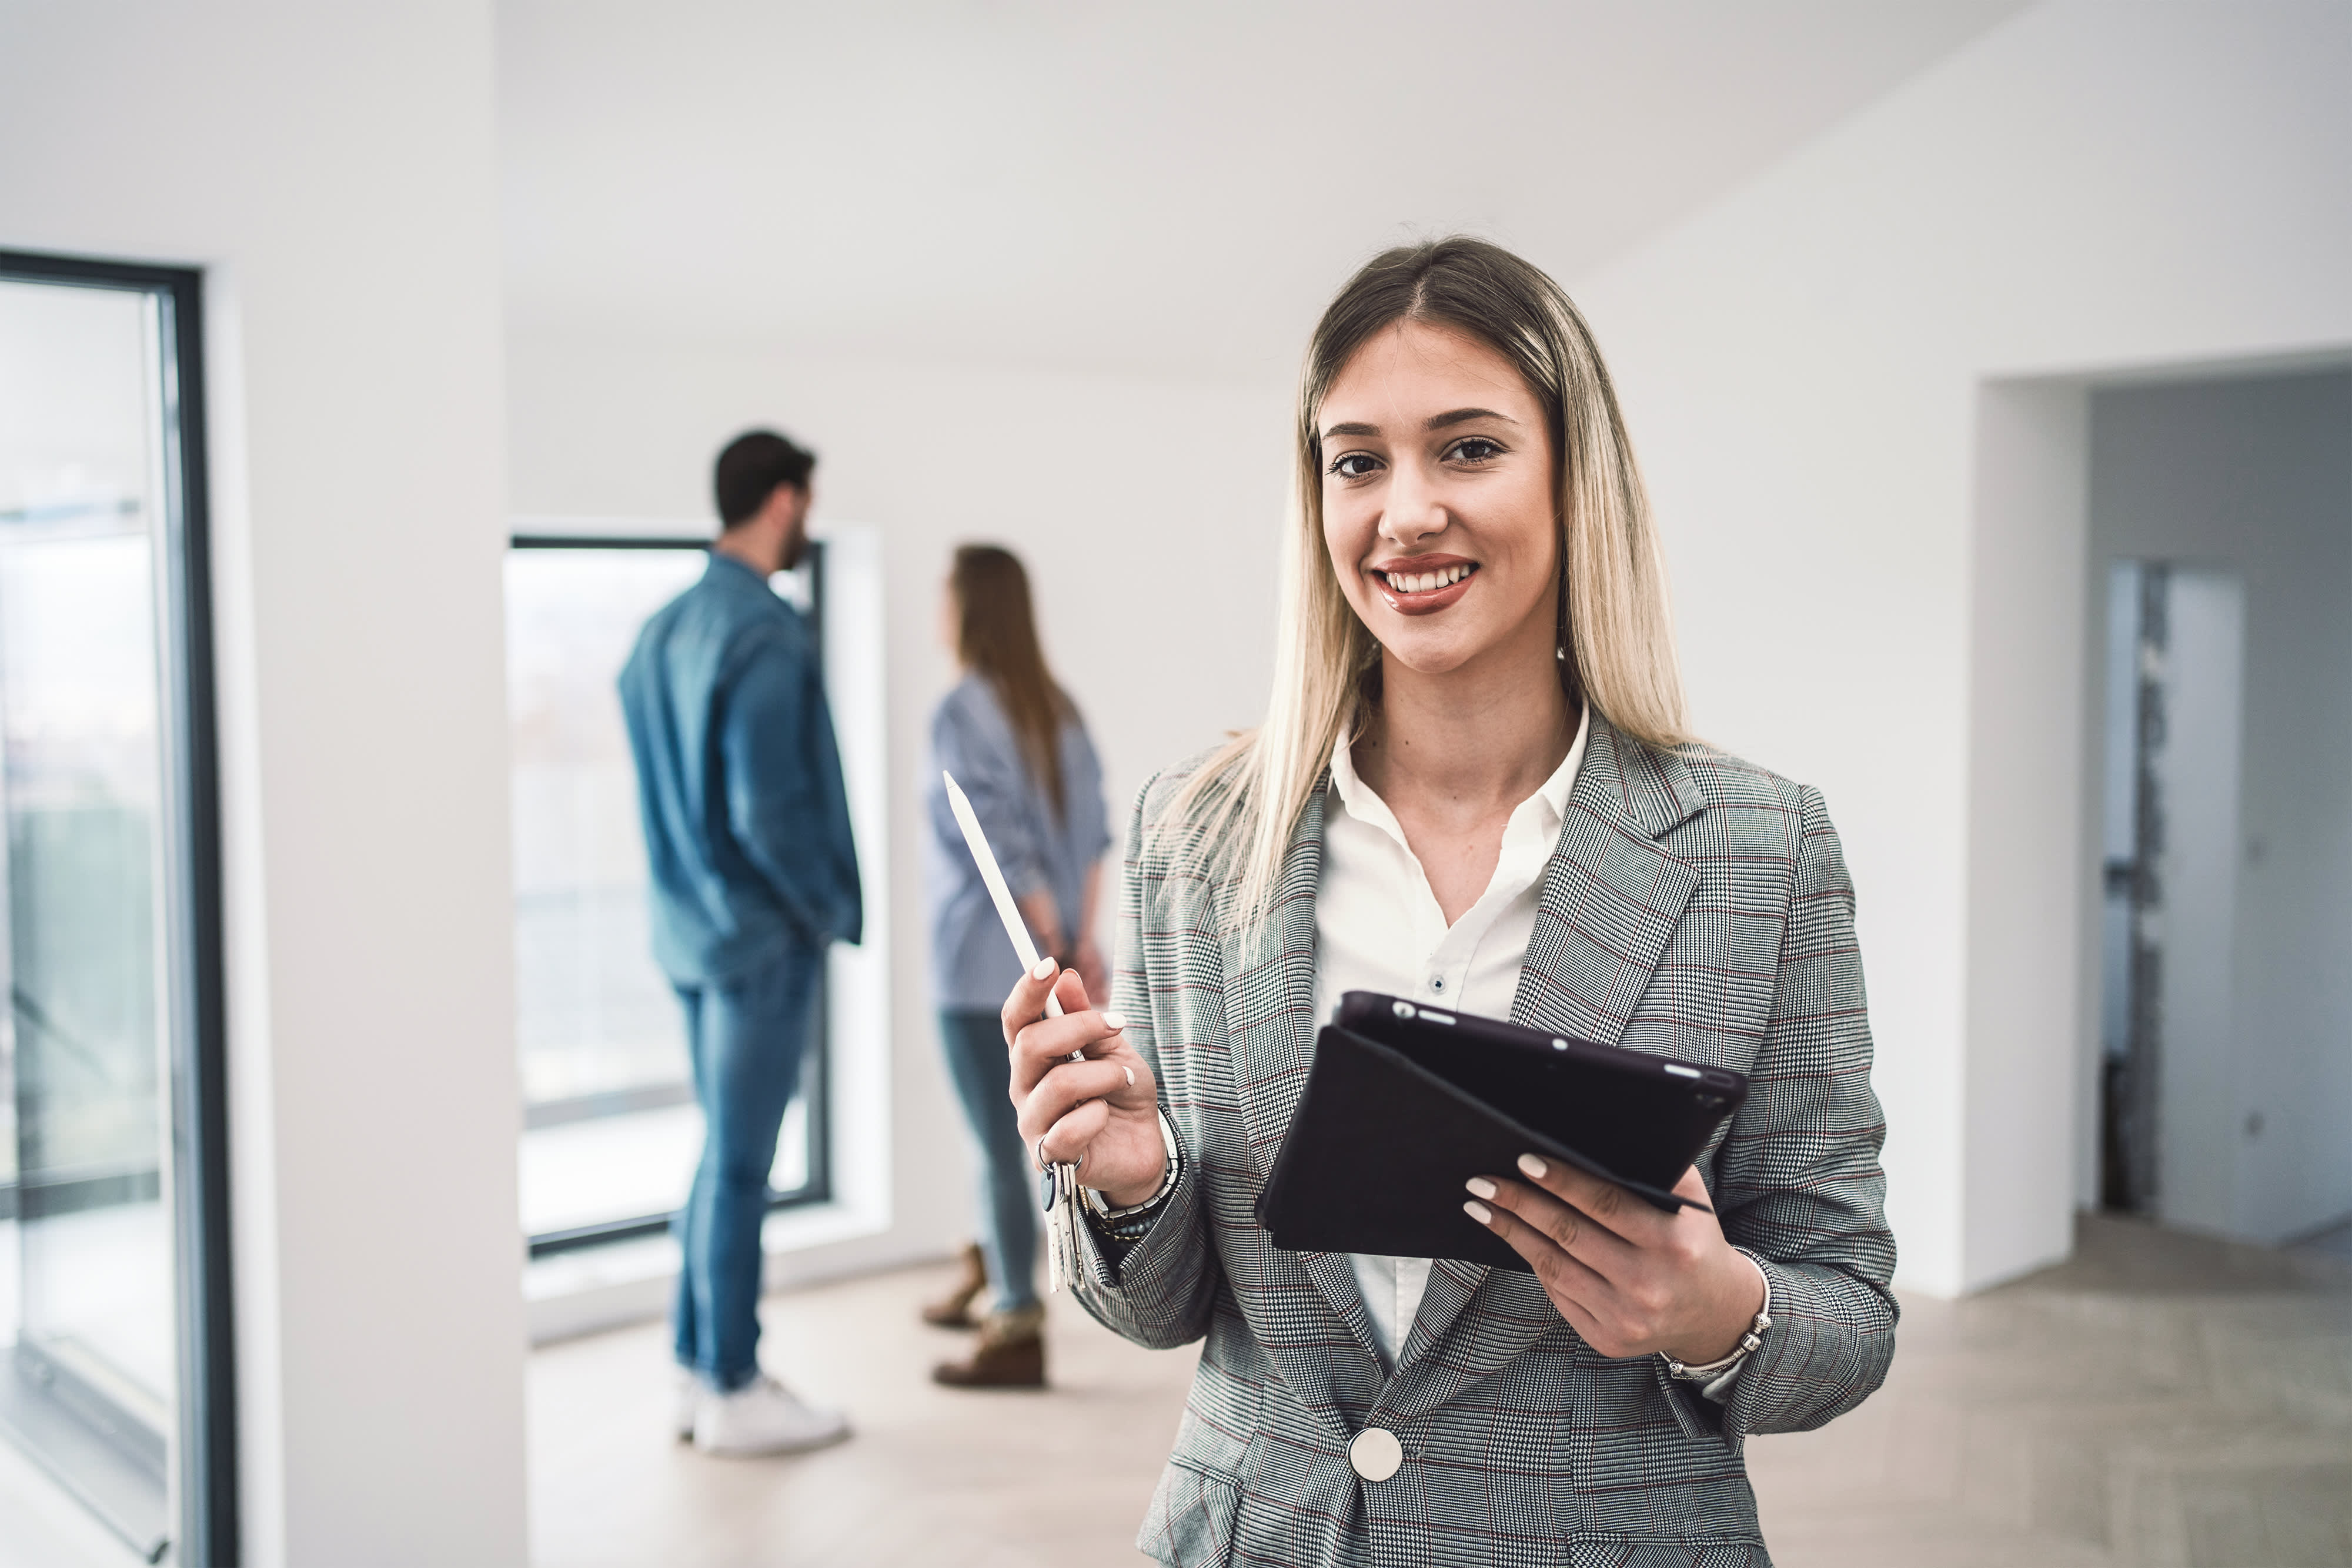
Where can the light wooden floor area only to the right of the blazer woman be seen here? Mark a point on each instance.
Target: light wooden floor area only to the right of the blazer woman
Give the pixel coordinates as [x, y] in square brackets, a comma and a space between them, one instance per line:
[2160, 1400]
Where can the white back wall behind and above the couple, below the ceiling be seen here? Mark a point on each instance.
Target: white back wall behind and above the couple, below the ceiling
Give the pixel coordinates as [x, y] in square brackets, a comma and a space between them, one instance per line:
[1135, 507]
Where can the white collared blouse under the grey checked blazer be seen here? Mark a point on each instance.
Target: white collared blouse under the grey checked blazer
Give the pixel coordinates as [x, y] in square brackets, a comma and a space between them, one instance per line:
[1379, 927]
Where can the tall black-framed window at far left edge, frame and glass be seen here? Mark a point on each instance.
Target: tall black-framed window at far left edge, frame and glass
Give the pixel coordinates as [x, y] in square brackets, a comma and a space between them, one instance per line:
[114, 1287]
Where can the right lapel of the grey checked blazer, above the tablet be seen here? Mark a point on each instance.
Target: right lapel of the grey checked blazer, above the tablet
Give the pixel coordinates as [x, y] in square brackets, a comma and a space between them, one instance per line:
[1608, 911]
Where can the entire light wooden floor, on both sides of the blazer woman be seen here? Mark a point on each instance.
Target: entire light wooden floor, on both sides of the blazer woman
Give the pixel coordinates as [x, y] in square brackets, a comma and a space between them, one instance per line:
[2156, 1402]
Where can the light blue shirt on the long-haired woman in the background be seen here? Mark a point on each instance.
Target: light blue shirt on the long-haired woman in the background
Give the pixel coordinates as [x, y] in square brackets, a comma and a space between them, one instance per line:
[973, 963]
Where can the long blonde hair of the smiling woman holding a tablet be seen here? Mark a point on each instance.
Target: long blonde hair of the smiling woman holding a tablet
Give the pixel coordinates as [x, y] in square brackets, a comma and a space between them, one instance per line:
[1617, 636]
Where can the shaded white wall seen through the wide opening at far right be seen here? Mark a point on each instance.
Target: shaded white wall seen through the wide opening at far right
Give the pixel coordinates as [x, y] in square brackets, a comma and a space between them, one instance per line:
[2252, 478]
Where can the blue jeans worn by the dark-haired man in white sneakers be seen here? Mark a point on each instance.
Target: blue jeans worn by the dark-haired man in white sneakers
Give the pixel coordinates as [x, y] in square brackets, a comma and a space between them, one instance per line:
[747, 1043]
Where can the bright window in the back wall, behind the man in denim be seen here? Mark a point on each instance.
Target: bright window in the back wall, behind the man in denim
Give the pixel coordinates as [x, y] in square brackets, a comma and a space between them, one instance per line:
[610, 1123]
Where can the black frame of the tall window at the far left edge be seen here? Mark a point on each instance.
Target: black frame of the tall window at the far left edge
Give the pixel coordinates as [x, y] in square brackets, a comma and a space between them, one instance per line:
[199, 1094]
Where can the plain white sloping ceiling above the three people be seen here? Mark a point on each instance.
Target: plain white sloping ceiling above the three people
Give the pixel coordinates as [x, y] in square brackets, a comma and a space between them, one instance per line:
[1165, 192]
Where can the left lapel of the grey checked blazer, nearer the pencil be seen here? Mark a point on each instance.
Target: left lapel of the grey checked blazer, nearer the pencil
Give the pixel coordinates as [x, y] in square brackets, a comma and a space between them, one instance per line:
[1271, 1024]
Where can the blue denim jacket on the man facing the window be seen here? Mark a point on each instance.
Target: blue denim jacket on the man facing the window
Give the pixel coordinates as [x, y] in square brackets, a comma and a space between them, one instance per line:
[740, 784]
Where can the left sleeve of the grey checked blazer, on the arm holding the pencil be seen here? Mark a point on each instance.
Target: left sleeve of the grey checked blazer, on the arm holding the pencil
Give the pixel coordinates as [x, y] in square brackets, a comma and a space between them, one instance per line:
[1156, 1292]
